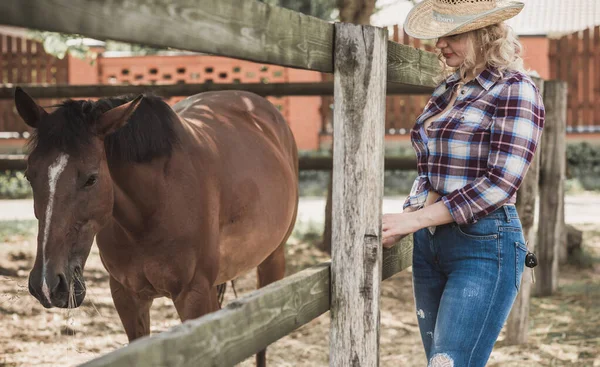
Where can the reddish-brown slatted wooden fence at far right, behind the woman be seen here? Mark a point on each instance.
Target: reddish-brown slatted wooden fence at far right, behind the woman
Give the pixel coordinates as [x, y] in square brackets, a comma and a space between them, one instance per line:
[575, 58]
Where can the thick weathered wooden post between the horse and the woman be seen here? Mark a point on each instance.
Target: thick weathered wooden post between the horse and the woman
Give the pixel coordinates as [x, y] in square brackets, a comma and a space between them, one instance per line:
[359, 98]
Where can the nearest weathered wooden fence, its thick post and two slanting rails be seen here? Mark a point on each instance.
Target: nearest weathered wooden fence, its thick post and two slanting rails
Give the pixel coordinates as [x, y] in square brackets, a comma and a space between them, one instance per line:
[254, 31]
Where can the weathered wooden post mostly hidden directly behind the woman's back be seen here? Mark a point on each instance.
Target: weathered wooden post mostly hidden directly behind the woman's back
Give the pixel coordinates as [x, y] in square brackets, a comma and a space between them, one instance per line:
[517, 325]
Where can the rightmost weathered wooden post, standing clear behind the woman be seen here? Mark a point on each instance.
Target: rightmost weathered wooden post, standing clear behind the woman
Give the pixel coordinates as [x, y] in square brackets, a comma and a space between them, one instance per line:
[552, 196]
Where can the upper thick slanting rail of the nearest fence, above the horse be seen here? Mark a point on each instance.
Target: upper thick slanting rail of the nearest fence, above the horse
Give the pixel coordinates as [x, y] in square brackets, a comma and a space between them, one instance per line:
[248, 30]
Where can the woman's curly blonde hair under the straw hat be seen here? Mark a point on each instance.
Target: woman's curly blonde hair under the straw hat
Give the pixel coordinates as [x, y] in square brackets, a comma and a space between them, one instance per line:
[496, 45]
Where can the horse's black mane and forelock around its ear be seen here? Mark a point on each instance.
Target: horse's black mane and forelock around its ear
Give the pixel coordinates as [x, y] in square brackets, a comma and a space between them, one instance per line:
[149, 133]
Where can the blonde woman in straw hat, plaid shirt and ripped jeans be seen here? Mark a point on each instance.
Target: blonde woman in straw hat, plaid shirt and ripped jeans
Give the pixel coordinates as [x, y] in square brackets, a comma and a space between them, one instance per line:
[474, 143]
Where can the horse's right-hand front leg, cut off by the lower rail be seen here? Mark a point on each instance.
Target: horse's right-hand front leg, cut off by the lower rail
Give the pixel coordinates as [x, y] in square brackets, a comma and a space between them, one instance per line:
[201, 298]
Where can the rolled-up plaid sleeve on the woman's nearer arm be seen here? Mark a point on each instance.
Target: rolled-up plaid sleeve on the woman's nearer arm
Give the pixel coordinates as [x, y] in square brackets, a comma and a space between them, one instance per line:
[514, 137]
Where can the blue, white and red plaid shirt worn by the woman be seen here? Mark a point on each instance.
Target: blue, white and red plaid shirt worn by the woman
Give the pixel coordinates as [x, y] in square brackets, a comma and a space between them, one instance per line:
[478, 152]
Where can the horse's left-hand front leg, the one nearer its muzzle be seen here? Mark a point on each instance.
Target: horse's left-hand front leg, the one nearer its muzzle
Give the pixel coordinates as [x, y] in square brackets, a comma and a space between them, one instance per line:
[133, 310]
